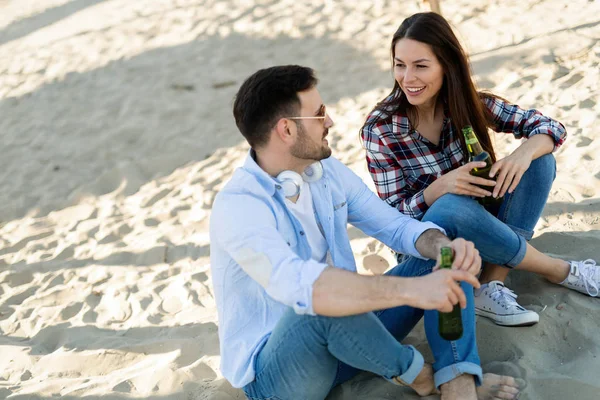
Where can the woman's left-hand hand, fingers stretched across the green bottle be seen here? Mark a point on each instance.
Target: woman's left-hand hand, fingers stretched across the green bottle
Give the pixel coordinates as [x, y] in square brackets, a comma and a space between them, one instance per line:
[460, 181]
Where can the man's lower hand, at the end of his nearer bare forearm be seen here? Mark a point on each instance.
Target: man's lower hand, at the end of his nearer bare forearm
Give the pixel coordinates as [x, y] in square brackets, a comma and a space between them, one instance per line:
[439, 290]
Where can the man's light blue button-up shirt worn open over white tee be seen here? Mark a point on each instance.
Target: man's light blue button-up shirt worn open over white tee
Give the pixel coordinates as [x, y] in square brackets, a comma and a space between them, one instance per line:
[261, 260]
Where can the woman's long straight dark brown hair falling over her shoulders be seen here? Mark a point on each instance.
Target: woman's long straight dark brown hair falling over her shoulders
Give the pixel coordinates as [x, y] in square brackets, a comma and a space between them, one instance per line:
[458, 92]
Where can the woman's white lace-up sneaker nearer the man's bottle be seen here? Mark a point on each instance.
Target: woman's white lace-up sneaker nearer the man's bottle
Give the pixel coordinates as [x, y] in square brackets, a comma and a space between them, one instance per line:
[495, 301]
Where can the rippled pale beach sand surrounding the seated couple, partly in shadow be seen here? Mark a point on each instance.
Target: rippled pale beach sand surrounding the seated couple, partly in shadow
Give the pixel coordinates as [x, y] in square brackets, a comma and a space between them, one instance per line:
[116, 134]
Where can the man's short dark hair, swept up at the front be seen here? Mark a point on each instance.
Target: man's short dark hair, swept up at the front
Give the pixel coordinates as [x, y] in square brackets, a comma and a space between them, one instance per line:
[268, 95]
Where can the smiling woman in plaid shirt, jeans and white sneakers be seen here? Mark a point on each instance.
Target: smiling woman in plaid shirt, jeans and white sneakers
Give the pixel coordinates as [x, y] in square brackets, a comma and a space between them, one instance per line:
[417, 158]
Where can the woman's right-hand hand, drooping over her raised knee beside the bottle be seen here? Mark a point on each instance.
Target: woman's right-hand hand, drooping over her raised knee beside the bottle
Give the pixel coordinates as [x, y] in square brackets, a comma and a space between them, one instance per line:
[510, 170]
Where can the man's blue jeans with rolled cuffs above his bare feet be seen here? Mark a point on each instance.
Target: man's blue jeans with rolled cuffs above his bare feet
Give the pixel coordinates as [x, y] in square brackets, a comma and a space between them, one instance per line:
[306, 356]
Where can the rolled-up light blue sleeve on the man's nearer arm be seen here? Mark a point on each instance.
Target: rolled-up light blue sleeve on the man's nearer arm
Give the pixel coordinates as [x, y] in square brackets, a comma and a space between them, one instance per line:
[246, 229]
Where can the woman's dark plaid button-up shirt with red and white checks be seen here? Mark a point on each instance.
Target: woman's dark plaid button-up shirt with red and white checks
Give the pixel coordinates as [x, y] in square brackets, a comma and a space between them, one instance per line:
[403, 163]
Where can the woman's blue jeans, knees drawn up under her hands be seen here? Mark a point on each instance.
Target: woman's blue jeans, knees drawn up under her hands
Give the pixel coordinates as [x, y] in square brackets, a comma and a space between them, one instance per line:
[500, 240]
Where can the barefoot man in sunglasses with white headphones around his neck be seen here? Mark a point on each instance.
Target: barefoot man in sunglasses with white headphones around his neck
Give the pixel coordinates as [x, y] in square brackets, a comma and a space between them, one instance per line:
[295, 319]
